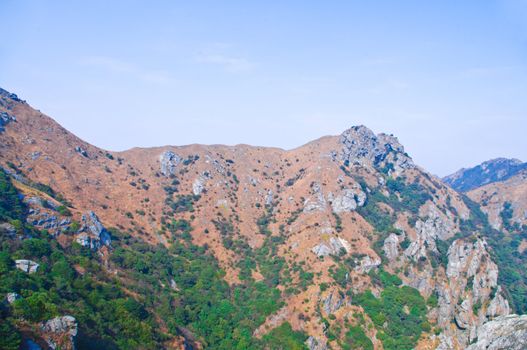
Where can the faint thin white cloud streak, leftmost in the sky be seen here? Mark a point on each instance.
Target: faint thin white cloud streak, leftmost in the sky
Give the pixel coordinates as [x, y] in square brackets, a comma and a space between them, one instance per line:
[118, 66]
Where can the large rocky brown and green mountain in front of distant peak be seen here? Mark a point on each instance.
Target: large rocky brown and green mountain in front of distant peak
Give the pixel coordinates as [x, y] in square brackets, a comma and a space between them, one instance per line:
[343, 243]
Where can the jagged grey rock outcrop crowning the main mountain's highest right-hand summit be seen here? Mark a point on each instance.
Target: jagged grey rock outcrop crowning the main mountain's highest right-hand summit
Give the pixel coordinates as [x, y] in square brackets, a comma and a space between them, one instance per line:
[362, 147]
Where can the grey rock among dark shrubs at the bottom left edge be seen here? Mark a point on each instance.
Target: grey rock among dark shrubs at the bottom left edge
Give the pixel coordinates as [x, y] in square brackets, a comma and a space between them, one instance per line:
[60, 332]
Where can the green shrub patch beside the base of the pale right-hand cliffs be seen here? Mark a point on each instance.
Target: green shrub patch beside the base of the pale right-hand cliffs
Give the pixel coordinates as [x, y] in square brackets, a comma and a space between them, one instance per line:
[399, 315]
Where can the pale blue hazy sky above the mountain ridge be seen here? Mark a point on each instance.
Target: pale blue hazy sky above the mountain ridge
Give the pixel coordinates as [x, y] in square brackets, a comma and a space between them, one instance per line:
[447, 77]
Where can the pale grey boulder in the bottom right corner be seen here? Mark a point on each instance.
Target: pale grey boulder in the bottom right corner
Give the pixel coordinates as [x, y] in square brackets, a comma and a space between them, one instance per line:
[505, 332]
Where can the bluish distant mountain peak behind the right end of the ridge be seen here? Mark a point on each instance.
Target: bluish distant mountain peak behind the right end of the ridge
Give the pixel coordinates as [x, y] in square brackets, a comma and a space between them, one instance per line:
[499, 169]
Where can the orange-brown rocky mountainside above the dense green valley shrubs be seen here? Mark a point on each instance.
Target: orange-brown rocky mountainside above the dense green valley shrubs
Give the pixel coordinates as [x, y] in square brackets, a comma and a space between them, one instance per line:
[335, 216]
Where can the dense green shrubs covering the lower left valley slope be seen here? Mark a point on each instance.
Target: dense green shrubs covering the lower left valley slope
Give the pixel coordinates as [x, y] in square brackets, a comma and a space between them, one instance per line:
[179, 288]
